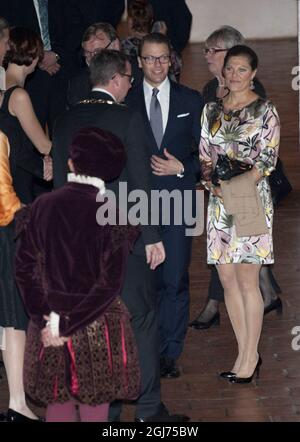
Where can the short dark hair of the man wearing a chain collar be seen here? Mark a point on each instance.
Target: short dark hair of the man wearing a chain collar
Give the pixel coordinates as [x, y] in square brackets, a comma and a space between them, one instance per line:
[105, 65]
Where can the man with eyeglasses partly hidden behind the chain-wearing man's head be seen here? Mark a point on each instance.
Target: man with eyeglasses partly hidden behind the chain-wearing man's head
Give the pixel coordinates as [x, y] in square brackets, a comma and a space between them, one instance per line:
[96, 37]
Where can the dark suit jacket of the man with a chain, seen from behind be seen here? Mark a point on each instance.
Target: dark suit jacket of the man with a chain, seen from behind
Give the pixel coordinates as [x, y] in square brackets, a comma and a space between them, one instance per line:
[123, 123]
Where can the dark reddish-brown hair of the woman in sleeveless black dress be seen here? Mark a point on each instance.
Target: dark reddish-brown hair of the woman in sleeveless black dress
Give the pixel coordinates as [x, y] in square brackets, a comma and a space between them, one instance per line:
[24, 46]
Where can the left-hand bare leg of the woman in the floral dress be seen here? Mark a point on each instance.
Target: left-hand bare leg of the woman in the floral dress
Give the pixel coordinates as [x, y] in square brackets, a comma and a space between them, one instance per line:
[235, 308]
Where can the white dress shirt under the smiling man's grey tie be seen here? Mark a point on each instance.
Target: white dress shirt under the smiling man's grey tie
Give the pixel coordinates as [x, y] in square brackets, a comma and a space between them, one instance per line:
[163, 97]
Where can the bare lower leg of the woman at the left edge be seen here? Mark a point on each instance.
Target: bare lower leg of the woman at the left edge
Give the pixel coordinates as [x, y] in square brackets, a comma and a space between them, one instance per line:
[13, 358]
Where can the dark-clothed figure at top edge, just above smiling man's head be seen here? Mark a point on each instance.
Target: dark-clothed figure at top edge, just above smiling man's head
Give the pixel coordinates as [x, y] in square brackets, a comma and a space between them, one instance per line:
[178, 18]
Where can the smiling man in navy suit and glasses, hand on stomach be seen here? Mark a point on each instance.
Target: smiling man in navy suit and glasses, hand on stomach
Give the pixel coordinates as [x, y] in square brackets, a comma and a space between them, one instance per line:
[171, 114]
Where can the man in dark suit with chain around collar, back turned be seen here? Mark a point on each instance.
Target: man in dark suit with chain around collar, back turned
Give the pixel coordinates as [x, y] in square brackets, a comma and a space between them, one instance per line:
[110, 76]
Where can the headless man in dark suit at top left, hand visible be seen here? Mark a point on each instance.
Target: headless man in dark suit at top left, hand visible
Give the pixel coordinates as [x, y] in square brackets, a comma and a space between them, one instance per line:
[53, 21]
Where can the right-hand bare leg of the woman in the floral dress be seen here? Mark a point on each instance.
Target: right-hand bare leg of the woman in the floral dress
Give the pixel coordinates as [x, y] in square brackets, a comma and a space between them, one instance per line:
[248, 281]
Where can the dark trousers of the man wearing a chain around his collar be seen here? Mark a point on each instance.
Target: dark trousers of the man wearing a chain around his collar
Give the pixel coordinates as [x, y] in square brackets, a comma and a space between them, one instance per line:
[139, 296]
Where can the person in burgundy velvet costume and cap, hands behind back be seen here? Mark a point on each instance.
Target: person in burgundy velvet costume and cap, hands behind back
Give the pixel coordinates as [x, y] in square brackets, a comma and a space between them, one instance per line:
[74, 298]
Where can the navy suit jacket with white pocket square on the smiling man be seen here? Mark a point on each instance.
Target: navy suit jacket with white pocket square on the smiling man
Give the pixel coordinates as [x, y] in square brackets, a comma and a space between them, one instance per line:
[182, 134]
